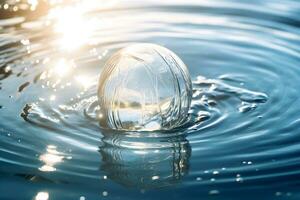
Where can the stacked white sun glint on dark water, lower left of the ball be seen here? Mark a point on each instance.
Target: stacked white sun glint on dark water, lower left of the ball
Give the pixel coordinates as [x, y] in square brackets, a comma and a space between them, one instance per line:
[50, 158]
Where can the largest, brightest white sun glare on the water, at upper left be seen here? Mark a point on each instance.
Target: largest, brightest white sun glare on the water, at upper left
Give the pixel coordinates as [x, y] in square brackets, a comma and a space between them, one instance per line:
[74, 27]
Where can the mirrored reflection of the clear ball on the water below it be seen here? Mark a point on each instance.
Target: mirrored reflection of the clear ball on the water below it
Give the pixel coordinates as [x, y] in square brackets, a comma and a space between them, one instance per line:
[145, 165]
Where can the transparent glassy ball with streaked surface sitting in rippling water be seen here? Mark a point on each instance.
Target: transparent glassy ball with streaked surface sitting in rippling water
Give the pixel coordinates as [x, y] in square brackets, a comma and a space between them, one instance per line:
[144, 87]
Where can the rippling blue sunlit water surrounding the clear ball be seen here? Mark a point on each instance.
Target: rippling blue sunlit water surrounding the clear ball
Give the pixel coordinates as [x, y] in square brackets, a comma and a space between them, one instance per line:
[243, 141]
